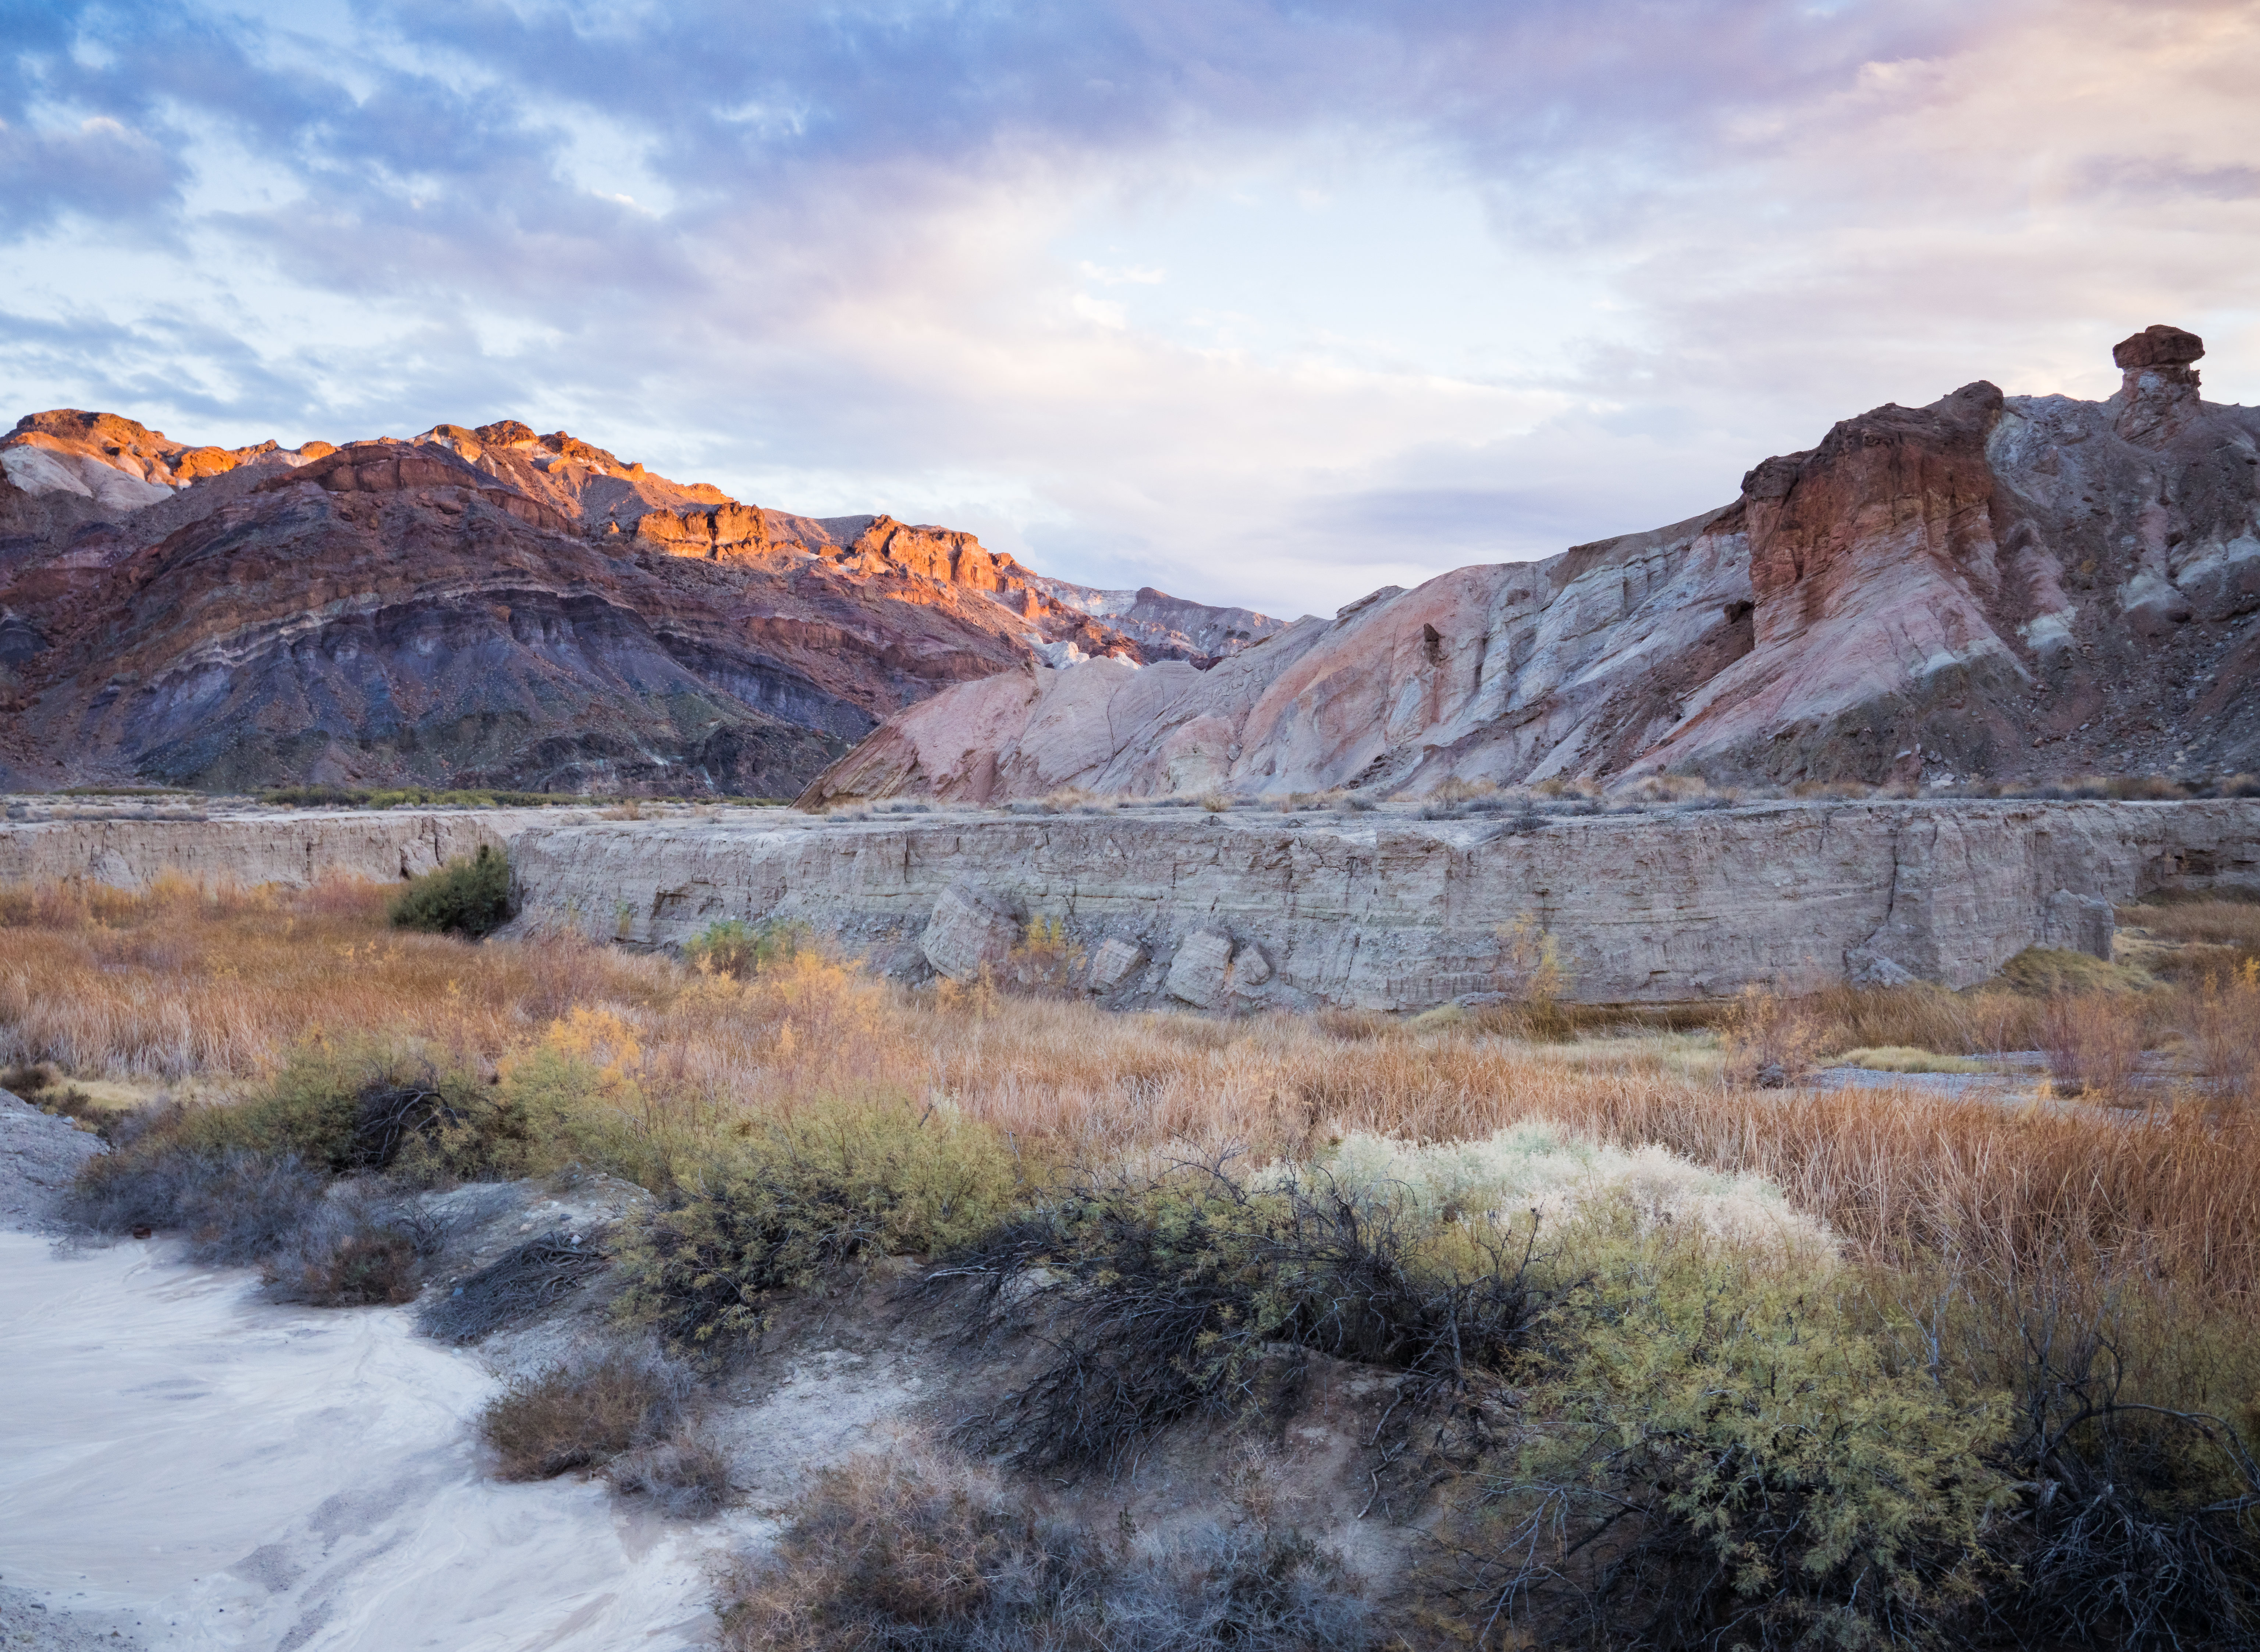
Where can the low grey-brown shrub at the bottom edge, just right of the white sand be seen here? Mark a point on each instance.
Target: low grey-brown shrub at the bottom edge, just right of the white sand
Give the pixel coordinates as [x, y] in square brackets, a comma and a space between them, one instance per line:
[921, 1549]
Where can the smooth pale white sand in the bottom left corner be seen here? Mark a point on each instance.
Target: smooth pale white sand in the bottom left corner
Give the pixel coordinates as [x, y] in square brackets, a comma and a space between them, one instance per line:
[238, 1475]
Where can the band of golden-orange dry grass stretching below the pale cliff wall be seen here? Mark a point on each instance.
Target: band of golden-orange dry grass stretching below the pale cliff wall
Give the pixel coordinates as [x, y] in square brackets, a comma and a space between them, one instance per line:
[184, 982]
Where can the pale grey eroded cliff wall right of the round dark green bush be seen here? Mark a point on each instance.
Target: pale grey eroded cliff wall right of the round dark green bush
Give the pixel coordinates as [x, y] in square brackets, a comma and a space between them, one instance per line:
[1244, 912]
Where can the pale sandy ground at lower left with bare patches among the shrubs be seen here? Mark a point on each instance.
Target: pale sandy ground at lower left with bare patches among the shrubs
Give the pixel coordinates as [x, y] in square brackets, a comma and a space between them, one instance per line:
[191, 1466]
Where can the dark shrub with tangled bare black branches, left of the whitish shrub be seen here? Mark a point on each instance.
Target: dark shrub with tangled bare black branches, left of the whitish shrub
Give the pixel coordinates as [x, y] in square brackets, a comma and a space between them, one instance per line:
[1165, 1296]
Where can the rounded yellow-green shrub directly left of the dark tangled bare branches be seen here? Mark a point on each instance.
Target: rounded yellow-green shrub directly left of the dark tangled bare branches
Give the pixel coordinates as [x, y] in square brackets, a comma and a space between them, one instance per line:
[801, 1201]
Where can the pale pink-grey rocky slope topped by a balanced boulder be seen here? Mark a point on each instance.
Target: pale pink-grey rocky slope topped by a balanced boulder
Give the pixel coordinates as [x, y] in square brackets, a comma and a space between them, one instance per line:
[1999, 586]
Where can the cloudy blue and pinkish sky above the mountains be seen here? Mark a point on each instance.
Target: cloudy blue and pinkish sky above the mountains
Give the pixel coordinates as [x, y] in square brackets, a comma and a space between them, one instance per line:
[1260, 304]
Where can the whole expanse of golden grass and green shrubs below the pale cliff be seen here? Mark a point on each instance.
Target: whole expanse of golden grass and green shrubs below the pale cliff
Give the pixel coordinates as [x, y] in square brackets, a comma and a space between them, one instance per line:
[1678, 1359]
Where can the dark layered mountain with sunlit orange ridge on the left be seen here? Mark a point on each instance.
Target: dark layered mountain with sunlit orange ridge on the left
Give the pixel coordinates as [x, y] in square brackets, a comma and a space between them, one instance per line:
[485, 609]
